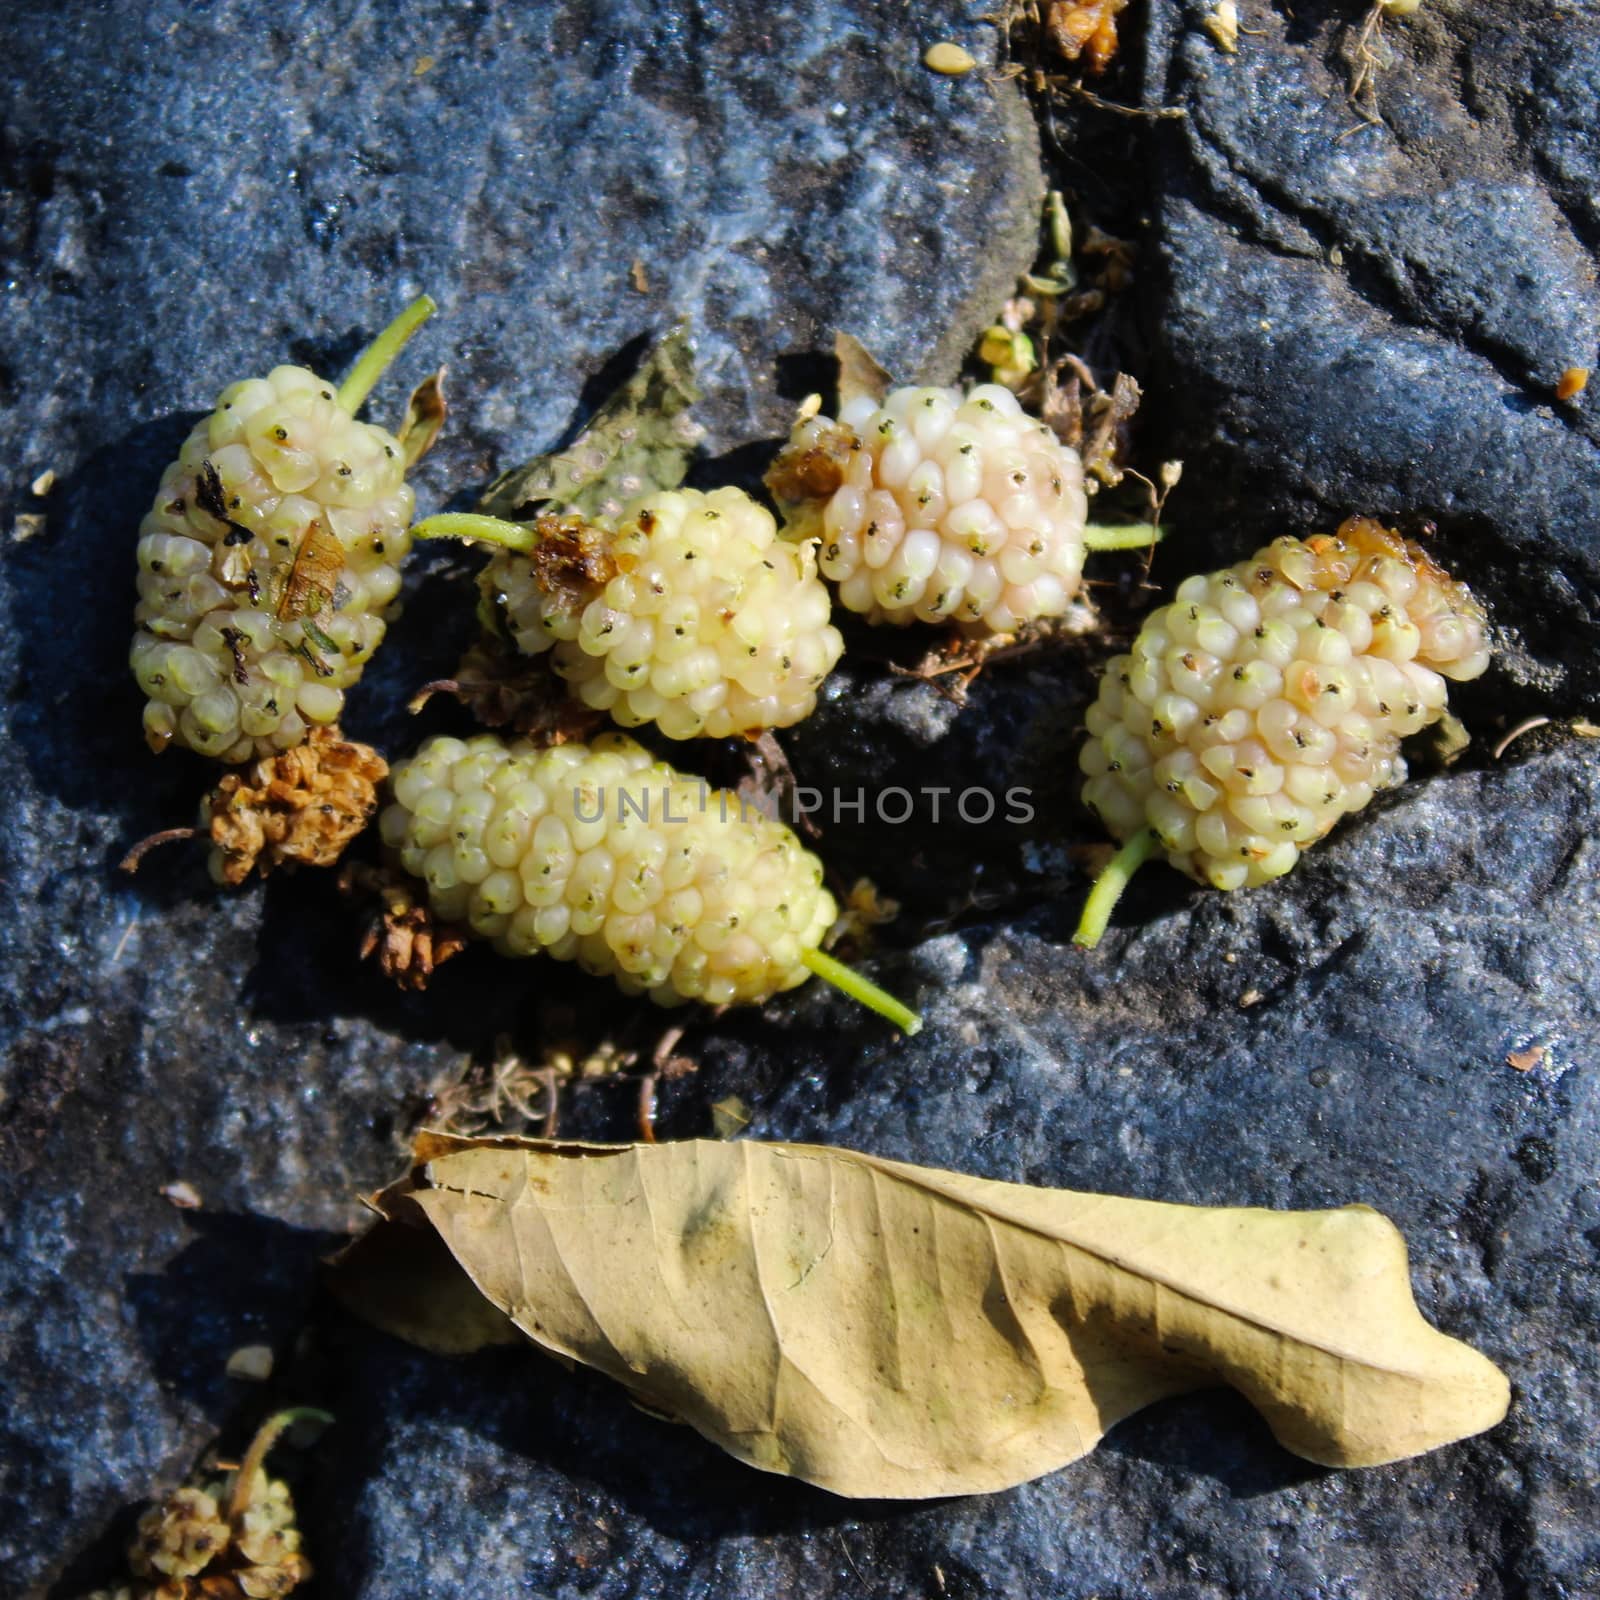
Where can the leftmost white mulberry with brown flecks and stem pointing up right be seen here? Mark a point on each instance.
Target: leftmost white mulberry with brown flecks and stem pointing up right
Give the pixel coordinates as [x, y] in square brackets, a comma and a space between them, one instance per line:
[270, 561]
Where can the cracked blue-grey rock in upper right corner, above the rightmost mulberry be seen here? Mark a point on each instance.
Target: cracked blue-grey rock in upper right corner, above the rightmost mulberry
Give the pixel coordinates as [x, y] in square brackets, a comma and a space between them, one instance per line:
[1375, 316]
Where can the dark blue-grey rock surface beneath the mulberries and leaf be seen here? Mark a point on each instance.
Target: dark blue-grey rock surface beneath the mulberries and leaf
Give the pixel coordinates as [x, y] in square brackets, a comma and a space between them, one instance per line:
[191, 194]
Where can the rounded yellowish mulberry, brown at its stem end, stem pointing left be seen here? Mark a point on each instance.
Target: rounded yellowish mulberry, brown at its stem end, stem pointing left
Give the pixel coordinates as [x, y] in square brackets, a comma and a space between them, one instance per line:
[692, 614]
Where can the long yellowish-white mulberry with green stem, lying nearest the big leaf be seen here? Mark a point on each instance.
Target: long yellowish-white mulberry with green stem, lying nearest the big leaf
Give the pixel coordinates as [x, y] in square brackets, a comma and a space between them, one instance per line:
[607, 857]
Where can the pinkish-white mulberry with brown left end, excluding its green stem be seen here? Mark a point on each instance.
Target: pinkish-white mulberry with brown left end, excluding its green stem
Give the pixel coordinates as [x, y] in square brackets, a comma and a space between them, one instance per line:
[938, 505]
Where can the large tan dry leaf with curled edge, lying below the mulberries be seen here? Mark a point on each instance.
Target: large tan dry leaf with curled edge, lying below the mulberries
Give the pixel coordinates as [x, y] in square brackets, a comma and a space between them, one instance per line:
[890, 1330]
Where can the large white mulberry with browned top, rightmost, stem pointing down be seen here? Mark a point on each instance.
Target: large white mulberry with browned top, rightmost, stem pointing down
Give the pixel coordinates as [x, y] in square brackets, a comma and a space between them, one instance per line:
[1270, 700]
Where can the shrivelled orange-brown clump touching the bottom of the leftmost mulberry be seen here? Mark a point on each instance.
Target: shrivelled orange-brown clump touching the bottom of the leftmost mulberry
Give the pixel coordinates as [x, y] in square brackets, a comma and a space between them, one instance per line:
[303, 806]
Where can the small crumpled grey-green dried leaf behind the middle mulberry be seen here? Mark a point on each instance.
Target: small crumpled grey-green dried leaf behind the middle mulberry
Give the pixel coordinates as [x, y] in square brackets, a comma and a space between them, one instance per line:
[641, 441]
